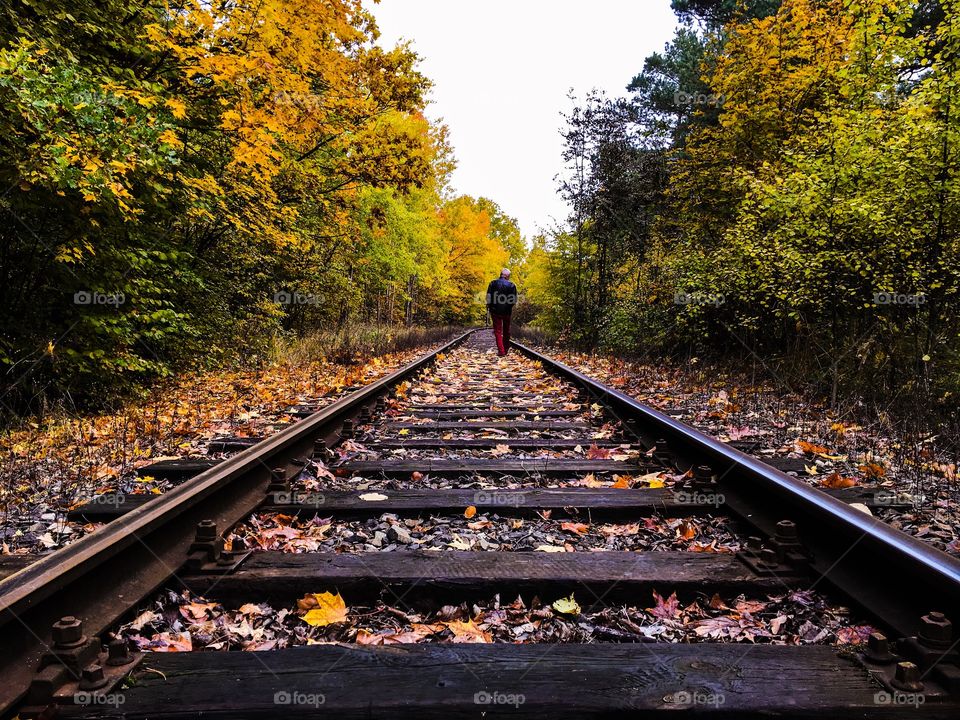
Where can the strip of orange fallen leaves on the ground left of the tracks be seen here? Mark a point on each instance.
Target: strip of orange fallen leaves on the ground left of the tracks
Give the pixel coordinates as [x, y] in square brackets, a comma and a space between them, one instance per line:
[47, 470]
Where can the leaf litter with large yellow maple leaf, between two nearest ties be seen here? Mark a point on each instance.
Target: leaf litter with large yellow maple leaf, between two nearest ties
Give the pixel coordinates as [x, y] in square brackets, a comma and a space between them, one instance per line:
[181, 622]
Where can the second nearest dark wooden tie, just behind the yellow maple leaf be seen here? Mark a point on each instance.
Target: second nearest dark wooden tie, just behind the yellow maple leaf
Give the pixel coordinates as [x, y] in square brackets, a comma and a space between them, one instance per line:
[457, 576]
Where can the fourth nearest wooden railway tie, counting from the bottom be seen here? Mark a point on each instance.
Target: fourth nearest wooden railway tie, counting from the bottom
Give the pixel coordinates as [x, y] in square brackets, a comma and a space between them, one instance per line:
[505, 466]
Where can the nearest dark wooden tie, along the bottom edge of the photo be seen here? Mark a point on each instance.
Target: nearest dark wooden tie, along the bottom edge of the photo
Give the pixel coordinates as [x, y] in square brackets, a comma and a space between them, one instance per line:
[443, 681]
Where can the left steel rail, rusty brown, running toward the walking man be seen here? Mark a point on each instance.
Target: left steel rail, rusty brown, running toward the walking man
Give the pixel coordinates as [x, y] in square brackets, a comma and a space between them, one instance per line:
[105, 574]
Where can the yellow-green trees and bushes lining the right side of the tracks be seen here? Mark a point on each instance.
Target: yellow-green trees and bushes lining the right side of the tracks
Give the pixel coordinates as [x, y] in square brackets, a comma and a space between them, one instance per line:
[825, 184]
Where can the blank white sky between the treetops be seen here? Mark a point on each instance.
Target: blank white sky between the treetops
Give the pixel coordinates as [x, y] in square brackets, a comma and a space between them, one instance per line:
[501, 71]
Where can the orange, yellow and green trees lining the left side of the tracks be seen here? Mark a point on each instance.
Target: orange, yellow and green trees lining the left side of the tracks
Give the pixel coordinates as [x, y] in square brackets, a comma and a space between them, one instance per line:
[186, 184]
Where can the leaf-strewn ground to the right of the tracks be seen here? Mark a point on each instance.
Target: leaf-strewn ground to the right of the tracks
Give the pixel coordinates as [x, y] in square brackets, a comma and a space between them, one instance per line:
[919, 477]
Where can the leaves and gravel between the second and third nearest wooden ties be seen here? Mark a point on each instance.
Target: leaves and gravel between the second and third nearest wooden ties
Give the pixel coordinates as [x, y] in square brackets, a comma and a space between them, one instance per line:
[482, 531]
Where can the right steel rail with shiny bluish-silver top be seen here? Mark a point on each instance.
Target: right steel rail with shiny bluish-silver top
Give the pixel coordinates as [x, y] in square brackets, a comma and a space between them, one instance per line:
[894, 576]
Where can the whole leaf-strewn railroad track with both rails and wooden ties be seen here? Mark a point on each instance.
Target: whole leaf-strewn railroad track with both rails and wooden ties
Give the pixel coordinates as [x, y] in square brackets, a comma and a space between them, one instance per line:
[495, 456]
